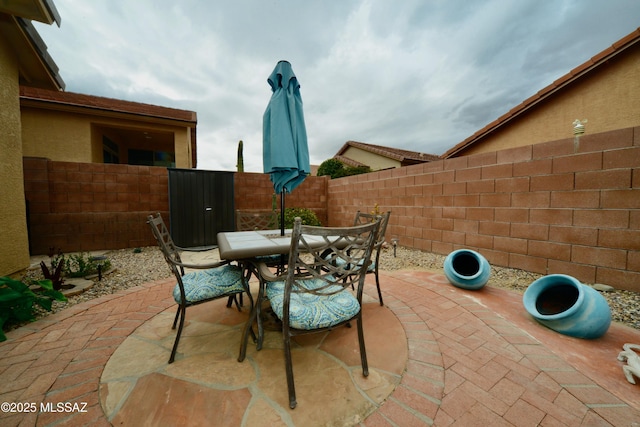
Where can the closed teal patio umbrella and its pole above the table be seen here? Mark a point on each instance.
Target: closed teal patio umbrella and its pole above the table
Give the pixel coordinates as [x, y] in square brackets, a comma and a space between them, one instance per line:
[285, 153]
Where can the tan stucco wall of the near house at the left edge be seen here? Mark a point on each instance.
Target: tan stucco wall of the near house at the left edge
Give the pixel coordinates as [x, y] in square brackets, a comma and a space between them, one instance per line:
[14, 249]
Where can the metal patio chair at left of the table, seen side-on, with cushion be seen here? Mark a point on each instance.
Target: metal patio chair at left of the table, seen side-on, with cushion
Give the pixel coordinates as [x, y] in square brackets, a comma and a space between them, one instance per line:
[207, 283]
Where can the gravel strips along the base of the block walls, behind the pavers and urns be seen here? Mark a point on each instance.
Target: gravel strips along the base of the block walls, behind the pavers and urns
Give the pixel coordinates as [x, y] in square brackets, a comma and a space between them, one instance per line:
[135, 267]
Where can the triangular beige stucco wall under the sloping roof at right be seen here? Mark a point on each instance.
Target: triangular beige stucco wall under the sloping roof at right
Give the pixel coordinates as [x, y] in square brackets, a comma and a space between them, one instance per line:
[608, 98]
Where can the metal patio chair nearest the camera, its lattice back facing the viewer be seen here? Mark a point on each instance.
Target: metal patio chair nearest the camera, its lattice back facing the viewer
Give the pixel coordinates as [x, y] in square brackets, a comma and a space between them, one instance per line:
[314, 294]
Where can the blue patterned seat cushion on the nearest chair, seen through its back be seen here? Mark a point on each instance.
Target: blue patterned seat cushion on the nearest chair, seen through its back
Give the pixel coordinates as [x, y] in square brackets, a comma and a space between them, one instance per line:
[309, 311]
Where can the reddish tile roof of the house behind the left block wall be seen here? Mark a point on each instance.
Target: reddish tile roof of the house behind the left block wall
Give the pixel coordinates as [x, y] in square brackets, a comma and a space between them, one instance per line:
[106, 104]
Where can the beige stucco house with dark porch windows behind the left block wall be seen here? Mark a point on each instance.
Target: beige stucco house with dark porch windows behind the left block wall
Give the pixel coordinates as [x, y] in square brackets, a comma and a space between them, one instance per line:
[72, 127]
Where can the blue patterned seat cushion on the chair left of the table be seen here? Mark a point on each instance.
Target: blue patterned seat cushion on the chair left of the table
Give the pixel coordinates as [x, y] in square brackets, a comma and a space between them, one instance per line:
[201, 285]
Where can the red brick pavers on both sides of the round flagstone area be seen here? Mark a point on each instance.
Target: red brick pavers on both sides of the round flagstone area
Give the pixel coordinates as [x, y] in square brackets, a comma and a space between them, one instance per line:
[467, 364]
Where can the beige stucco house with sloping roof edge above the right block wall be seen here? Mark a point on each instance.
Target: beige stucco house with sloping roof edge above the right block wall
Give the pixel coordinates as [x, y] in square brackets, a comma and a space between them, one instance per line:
[604, 91]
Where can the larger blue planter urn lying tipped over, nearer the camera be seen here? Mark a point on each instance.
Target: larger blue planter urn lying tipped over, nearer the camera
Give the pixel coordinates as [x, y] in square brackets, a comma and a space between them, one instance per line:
[562, 303]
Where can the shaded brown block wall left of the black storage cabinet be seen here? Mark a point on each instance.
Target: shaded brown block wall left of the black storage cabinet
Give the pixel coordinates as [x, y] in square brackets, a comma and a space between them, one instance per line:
[90, 206]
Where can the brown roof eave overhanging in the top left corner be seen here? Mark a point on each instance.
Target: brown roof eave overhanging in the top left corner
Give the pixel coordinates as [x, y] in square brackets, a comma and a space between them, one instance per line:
[37, 68]
